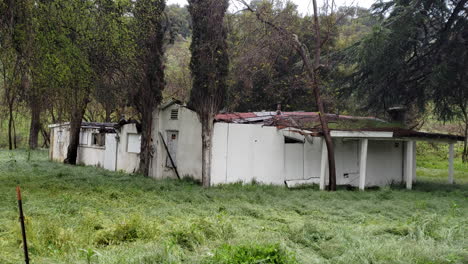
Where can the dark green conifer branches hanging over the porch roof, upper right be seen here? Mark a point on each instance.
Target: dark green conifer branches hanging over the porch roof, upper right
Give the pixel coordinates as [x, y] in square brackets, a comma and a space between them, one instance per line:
[412, 57]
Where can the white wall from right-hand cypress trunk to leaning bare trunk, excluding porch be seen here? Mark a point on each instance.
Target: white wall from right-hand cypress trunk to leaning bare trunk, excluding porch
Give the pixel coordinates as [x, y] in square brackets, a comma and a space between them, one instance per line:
[249, 152]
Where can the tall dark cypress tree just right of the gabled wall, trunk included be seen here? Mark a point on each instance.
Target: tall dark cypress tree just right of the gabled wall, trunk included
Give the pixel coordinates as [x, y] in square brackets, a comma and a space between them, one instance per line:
[209, 67]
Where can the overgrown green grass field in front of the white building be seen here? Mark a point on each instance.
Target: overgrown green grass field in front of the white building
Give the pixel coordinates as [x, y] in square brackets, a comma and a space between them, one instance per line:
[89, 215]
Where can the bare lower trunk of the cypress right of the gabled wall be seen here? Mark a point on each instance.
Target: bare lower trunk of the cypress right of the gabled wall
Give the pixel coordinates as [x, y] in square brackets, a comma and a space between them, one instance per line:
[207, 132]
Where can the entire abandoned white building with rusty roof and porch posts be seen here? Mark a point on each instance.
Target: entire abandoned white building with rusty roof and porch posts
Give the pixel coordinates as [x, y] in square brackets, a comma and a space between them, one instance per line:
[267, 147]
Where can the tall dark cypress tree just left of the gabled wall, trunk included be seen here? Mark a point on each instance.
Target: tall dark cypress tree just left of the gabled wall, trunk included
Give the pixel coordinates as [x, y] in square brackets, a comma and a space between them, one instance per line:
[147, 94]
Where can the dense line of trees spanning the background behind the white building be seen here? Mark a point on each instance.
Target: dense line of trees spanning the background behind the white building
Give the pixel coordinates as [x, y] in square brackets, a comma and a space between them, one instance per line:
[99, 60]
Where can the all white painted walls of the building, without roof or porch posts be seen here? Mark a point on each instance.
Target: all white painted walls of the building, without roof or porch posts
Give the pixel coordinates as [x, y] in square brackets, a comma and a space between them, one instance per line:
[241, 153]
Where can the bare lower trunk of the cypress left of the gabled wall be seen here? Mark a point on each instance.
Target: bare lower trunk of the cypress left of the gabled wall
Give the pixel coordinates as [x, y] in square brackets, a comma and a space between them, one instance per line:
[146, 152]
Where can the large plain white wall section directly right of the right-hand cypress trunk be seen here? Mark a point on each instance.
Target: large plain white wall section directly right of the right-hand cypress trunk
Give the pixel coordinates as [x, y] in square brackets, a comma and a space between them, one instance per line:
[246, 152]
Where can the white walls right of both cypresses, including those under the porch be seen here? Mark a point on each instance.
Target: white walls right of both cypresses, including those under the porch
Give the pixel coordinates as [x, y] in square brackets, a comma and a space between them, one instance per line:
[246, 152]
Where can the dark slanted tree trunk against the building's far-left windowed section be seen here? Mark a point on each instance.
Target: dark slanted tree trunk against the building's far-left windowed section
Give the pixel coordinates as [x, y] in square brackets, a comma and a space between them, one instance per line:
[75, 128]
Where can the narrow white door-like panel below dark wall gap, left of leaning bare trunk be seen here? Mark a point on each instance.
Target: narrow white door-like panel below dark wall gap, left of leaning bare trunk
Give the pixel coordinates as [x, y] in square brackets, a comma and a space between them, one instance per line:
[294, 161]
